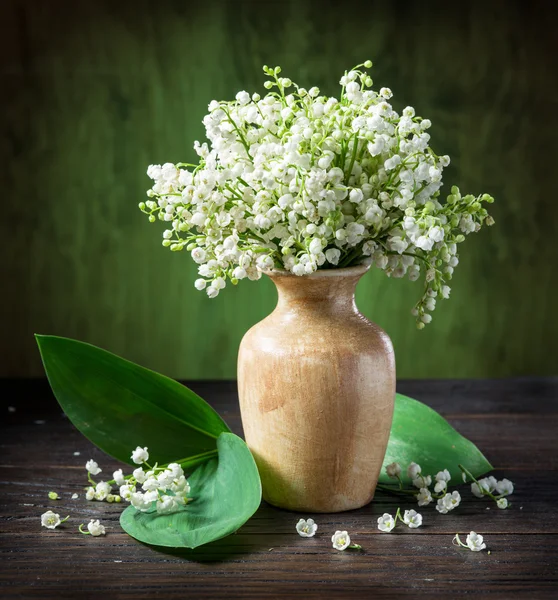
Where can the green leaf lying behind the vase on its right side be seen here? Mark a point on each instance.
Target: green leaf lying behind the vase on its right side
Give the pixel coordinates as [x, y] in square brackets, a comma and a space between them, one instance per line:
[419, 434]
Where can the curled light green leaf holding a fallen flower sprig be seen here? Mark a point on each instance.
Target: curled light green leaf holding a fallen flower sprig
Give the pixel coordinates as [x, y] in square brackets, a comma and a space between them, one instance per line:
[226, 492]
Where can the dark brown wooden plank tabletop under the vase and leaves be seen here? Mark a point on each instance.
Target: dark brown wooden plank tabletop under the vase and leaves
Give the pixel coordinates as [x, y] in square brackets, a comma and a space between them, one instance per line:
[514, 422]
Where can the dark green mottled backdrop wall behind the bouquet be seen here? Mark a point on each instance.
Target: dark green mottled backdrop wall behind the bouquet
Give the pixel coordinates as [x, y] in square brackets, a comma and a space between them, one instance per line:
[92, 94]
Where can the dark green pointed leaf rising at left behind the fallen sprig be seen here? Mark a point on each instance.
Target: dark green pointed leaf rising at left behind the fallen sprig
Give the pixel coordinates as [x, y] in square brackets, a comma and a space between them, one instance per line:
[119, 405]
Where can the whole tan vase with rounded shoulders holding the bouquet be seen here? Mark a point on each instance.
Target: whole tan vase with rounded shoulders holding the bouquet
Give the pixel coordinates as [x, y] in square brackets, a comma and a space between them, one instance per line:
[316, 382]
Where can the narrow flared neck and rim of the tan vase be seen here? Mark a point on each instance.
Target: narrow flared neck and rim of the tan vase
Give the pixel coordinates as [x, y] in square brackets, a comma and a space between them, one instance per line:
[331, 291]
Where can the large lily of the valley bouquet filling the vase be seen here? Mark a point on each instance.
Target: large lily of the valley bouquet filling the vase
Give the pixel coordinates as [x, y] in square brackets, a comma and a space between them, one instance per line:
[300, 181]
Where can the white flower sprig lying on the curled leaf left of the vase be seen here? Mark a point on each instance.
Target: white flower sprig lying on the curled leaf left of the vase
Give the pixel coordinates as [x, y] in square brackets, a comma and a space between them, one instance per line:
[164, 487]
